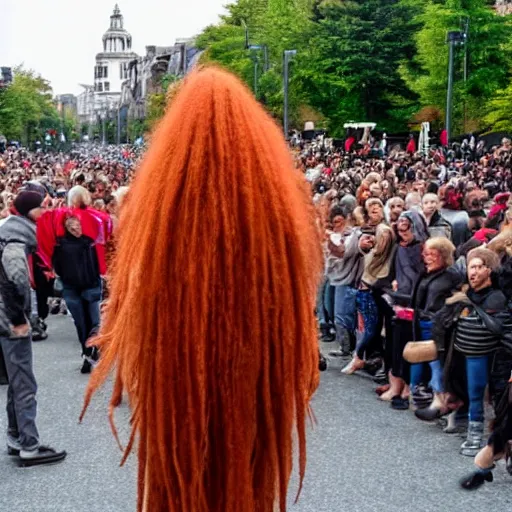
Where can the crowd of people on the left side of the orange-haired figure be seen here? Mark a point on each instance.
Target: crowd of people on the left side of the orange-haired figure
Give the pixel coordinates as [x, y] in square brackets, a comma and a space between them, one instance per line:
[58, 222]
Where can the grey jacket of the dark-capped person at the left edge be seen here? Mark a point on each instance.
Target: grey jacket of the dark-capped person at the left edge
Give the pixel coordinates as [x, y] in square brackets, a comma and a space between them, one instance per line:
[18, 241]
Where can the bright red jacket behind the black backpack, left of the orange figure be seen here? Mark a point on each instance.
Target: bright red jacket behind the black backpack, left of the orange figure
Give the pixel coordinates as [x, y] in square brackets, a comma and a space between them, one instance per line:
[50, 226]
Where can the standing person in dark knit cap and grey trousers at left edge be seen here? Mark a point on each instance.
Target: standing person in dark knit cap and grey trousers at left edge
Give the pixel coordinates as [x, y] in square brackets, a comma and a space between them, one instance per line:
[17, 245]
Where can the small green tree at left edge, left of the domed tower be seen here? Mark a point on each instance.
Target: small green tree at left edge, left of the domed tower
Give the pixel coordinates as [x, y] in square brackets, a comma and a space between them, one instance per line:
[27, 109]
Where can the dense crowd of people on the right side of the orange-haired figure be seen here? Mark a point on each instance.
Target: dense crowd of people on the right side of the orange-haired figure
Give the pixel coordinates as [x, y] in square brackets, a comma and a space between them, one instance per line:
[418, 281]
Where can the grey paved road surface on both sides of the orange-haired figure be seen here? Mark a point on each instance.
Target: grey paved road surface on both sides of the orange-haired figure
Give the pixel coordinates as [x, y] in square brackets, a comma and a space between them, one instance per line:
[363, 456]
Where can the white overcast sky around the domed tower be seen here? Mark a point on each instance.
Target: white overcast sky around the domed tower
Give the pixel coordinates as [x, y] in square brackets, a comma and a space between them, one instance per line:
[60, 38]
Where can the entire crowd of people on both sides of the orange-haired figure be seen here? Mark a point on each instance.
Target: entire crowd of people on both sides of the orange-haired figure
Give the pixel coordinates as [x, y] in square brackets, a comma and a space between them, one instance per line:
[417, 287]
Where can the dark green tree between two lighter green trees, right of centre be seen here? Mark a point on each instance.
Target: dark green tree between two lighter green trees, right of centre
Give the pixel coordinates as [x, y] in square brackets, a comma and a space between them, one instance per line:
[353, 73]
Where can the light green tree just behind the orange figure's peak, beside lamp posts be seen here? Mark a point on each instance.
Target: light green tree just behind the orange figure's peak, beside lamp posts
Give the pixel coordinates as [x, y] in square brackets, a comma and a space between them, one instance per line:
[276, 24]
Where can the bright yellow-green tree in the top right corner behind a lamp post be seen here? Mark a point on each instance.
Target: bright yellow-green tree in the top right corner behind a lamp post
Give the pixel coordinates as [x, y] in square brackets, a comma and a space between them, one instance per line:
[489, 53]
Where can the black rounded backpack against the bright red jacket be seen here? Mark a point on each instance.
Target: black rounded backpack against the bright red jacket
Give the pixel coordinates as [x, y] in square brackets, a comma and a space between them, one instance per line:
[76, 262]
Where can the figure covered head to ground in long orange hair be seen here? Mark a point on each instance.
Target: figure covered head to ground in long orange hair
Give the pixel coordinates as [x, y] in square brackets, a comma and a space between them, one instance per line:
[218, 241]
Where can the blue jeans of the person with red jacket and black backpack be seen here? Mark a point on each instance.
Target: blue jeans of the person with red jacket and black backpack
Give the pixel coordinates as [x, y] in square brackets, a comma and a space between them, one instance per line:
[84, 306]
